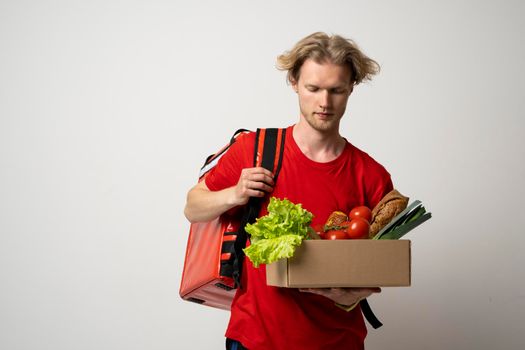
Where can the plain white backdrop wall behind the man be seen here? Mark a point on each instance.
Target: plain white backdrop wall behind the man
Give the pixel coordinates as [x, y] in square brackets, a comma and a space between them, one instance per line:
[108, 109]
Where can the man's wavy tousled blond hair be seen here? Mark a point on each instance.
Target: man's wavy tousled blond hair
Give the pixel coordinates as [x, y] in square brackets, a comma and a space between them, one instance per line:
[321, 47]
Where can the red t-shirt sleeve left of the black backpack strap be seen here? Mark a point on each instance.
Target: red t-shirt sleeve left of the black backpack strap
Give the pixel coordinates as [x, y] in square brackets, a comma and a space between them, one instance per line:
[228, 170]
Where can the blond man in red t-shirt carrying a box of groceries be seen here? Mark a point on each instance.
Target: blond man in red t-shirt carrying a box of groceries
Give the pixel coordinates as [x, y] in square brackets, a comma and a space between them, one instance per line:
[322, 171]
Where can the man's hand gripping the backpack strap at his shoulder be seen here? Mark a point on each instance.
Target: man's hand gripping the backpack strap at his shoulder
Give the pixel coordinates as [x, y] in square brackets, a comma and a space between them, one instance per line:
[253, 182]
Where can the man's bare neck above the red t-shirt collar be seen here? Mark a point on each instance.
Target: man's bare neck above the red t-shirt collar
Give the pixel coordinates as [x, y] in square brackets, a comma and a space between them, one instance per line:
[318, 146]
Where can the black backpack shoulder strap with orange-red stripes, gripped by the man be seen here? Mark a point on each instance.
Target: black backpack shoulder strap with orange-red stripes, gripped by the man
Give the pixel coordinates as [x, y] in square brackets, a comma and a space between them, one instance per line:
[268, 153]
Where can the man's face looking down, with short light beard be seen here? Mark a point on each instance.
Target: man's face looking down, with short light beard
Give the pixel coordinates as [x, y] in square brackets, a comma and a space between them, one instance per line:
[323, 91]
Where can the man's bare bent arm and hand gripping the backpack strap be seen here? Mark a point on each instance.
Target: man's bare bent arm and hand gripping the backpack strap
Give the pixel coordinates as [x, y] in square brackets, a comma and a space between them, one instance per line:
[202, 204]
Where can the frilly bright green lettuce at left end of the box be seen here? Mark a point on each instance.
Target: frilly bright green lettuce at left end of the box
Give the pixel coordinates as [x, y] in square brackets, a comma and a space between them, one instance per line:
[276, 235]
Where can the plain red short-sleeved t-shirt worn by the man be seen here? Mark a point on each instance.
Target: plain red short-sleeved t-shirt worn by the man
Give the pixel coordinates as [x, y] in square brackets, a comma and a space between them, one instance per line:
[272, 318]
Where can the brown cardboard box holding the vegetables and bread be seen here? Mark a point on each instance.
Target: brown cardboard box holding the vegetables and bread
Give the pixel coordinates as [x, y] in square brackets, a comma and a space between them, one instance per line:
[344, 263]
